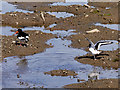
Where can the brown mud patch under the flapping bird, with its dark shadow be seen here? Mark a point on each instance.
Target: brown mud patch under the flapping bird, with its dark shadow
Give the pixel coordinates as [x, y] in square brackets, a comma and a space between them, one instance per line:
[108, 59]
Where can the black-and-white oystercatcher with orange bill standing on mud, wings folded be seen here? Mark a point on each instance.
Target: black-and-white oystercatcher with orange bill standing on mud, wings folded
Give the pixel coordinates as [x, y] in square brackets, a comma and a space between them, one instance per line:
[22, 36]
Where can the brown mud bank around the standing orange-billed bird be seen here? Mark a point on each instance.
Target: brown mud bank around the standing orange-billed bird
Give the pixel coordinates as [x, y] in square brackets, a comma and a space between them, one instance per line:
[36, 44]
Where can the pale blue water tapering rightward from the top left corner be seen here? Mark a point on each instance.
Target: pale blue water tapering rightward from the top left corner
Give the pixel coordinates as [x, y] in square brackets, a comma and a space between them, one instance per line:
[7, 7]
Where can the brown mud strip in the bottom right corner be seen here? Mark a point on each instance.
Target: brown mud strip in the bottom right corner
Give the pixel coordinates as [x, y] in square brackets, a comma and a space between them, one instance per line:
[103, 83]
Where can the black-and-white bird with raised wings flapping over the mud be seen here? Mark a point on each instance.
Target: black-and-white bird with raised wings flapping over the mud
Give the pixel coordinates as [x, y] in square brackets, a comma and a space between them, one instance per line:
[94, 48]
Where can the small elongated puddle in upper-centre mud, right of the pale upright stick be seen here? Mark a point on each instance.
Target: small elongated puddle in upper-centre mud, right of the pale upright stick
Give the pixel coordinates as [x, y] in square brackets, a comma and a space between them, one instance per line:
[61, 14]
